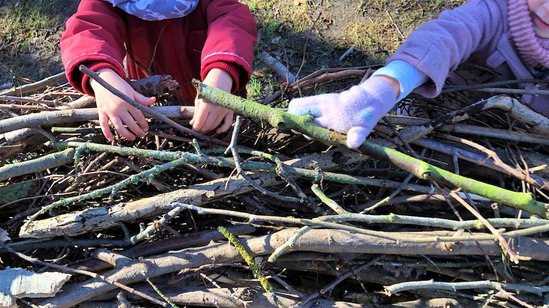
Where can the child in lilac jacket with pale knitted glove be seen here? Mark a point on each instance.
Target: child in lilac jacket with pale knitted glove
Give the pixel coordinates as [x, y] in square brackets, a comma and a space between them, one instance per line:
[509, 37]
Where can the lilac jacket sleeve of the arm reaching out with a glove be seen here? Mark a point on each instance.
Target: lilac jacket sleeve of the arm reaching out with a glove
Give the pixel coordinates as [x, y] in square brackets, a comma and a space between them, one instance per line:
[439, 46]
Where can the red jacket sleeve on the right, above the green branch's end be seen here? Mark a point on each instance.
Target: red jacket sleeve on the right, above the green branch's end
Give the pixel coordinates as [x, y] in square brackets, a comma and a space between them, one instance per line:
[230, 42]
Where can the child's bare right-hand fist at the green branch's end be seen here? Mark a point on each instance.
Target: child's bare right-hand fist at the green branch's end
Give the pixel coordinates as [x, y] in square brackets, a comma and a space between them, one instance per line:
[208, 116]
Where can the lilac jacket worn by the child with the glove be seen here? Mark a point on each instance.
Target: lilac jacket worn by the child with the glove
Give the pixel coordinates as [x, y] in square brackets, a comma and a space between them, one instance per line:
[477, 32]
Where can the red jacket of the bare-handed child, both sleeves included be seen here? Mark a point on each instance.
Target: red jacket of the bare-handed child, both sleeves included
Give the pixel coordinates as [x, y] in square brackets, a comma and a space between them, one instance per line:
[217, 34]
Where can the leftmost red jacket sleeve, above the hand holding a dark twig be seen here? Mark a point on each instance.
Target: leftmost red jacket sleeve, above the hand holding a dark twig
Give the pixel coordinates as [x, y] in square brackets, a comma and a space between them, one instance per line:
[94, 36]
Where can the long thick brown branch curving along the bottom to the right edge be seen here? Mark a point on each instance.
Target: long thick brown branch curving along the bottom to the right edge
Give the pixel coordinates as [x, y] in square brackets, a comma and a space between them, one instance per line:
[327, 241]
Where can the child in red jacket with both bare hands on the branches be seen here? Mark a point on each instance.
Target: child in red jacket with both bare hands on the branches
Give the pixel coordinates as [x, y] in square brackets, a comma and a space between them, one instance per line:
[211, 40]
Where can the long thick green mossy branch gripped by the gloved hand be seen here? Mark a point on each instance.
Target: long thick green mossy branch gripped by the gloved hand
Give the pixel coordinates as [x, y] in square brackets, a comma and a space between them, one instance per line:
[281, 119]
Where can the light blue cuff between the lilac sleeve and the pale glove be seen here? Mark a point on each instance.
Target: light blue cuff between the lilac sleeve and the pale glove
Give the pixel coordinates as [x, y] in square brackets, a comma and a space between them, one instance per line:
[408, 76]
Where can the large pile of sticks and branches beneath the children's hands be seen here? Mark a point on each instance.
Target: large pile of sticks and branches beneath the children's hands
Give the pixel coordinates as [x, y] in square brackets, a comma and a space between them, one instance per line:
[444, 208]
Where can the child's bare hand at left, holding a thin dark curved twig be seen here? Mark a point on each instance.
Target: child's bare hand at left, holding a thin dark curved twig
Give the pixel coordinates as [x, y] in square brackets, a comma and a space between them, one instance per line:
[127, 120]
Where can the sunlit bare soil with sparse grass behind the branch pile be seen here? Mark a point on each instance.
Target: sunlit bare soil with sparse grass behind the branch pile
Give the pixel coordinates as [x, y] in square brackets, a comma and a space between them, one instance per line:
[307, 41]
